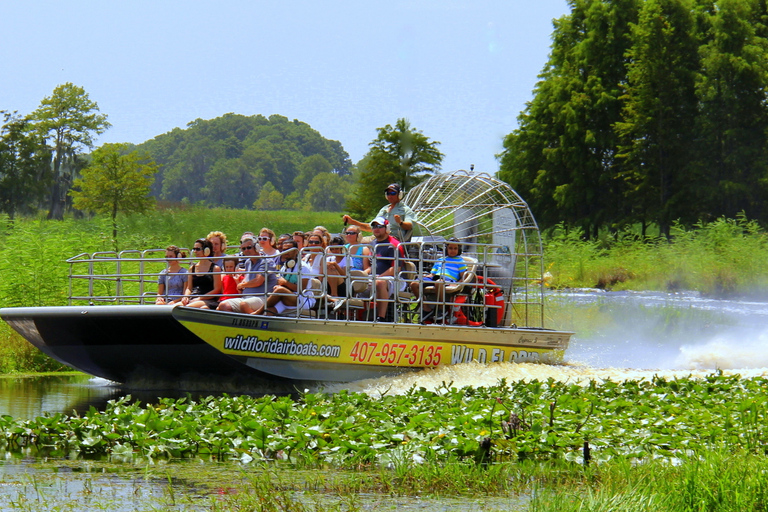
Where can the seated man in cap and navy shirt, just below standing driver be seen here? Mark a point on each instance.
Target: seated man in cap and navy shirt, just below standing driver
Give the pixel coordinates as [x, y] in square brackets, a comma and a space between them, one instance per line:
[385, 268]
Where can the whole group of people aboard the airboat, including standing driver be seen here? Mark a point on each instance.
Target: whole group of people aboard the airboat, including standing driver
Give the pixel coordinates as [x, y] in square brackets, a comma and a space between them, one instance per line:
[268, 273]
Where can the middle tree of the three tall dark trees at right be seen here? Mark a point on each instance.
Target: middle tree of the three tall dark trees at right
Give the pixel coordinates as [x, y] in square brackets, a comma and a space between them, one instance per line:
[660, 113]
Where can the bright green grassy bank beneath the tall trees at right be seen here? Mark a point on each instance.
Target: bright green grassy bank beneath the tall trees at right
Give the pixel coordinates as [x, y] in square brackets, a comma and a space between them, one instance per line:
[721, 258]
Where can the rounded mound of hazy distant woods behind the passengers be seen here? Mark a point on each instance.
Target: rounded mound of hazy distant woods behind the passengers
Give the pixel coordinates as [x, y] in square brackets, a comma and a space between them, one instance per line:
[237, 160]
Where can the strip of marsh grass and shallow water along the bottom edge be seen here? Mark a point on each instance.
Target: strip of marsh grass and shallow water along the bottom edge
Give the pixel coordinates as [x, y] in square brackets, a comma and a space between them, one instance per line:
[714, 481]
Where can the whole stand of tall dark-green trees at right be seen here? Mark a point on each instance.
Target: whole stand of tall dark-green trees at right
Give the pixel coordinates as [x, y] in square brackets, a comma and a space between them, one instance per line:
[648, 112]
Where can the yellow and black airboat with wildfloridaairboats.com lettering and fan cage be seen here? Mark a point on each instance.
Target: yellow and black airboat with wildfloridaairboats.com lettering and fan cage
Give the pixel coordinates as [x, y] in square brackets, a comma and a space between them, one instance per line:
[112, 329]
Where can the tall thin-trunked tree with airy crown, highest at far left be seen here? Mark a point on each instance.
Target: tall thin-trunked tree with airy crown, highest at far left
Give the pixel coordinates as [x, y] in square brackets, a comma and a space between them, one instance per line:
[70, 120]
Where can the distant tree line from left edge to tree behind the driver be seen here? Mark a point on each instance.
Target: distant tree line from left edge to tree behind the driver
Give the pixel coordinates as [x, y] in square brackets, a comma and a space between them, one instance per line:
[235, 161]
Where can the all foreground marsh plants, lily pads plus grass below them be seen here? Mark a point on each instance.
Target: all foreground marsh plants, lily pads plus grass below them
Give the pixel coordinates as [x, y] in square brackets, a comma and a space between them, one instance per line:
[661, 445]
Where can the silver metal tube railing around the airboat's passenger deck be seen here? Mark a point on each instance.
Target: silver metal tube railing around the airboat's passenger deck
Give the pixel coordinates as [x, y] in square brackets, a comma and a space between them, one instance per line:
[131, 277]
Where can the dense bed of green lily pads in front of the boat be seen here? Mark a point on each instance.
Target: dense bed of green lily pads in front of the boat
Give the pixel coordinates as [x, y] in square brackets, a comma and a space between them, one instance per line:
[540, 420]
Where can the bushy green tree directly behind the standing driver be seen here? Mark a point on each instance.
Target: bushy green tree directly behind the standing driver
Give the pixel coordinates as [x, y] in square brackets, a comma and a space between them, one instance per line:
[399, 154]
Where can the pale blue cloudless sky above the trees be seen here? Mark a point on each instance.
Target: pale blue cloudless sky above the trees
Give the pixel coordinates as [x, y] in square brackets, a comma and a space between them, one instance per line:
[459, 70]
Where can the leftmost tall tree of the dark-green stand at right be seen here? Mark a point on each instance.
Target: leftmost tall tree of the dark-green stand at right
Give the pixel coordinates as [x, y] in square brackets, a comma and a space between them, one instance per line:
[562, 157]
